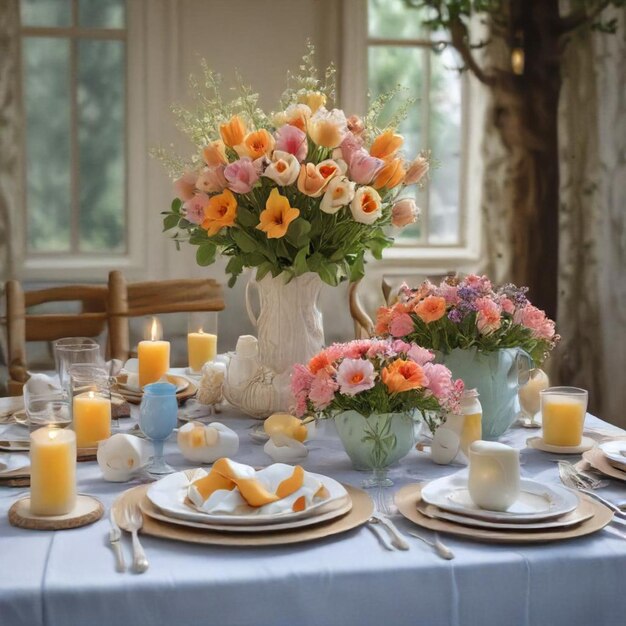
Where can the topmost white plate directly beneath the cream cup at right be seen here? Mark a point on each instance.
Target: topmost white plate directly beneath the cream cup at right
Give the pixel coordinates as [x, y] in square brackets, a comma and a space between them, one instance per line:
[536, 501]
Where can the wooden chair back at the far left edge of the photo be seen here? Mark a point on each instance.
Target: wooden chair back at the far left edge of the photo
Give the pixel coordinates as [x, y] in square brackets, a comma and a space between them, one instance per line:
[24, 326]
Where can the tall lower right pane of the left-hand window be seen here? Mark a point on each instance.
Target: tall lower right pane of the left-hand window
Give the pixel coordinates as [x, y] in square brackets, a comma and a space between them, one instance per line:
[102, 168]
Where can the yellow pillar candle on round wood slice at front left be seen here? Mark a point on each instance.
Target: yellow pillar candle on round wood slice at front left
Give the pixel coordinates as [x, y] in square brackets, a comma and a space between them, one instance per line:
[52, 471]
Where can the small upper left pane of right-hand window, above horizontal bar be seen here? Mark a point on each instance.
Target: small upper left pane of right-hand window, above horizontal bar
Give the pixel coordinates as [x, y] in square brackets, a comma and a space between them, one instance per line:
[393, 19]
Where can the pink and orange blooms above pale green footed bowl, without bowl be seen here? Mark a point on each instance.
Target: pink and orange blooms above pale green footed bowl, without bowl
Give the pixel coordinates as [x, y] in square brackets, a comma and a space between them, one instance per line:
[374, 376]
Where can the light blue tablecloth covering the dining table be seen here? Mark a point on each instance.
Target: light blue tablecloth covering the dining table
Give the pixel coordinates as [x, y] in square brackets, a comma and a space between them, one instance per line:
[68, 577]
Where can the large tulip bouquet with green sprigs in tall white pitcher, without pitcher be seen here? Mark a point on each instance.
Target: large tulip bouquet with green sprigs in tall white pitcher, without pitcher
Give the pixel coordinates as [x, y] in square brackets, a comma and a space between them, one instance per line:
[304, 189]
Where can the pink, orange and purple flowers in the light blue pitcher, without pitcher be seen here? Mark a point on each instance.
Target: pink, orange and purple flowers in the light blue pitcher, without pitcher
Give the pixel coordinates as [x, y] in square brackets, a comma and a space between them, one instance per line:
[469, 313]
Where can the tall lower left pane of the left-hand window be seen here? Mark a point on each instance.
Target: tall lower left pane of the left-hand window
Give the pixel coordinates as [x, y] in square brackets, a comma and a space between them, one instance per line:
[46, 87]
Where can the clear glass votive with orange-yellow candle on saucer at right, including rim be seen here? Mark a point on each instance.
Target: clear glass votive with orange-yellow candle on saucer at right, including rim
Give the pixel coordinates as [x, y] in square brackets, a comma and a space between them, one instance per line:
[563, 412]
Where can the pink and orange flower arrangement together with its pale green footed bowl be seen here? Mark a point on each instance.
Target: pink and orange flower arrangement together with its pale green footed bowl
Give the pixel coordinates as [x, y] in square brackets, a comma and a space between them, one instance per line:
[374, 388]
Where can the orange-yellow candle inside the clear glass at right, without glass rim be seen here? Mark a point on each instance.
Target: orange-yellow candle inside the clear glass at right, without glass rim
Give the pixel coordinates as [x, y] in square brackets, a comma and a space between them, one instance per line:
[563, 419]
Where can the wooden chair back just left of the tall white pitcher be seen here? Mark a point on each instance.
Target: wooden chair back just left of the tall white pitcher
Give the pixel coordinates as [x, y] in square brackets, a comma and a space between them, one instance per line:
[126, 300]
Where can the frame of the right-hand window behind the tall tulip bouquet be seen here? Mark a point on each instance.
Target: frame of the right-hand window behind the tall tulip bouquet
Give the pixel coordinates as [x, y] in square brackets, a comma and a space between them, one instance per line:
[407, 256]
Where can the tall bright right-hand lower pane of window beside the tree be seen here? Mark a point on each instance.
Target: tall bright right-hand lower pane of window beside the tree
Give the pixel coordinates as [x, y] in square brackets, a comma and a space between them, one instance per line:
[445, 139]
